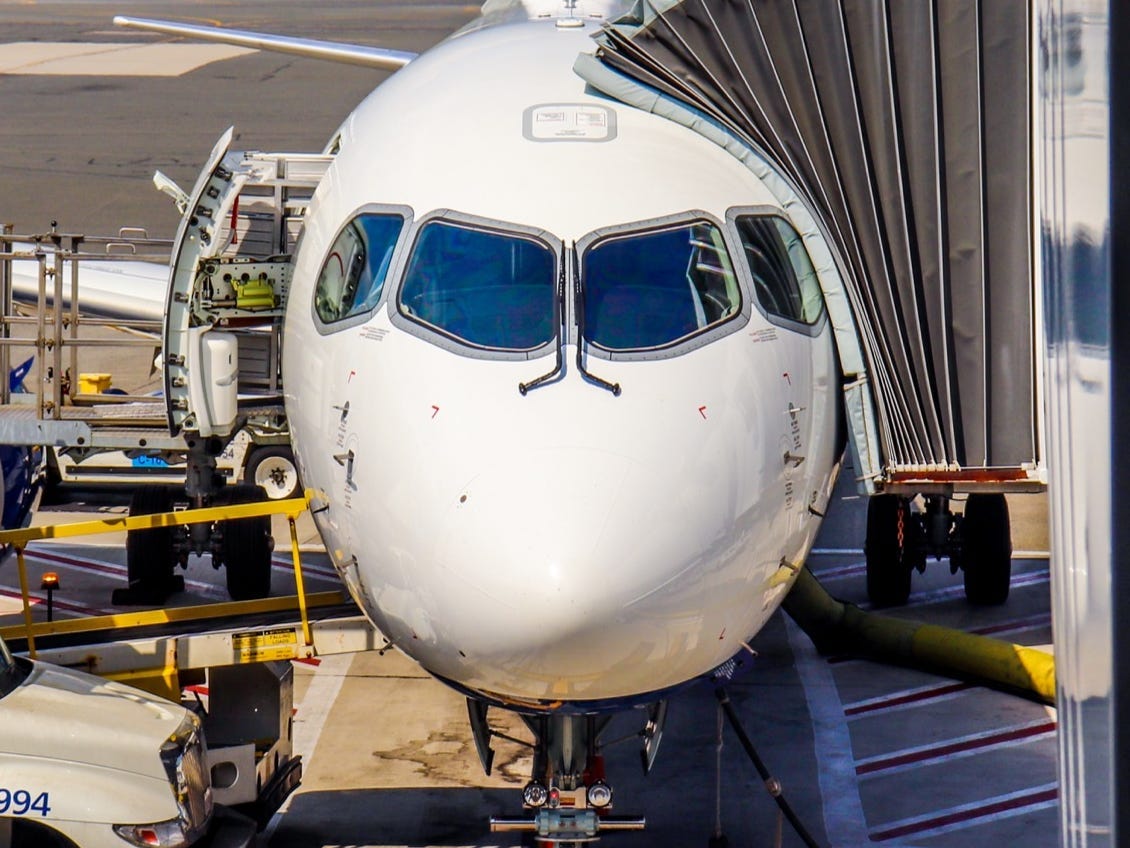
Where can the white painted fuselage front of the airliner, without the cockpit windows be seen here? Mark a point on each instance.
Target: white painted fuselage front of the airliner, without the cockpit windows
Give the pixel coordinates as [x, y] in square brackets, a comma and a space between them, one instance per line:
[568, 544]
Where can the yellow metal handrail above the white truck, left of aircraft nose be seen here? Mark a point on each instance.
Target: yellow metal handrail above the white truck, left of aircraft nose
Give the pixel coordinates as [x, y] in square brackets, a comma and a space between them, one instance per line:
[292, 508]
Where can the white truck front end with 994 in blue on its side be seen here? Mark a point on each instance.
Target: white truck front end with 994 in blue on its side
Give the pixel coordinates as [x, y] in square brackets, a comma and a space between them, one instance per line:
[91, 764]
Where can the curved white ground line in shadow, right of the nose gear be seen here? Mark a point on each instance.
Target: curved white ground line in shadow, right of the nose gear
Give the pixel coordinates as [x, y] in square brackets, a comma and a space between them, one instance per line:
[844, 810]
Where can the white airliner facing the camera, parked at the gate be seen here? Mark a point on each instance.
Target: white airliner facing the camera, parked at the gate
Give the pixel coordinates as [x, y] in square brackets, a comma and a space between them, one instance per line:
[560, 380]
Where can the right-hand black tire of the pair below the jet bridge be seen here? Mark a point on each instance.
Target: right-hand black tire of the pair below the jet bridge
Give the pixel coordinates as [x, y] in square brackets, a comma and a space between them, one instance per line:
[987, 550]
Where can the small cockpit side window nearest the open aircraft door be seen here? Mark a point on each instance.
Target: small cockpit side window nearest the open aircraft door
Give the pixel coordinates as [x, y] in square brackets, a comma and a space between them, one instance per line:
[354, 273]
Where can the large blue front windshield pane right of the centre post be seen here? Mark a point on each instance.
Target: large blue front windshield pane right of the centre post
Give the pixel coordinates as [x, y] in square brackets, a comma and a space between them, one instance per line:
[651, 289]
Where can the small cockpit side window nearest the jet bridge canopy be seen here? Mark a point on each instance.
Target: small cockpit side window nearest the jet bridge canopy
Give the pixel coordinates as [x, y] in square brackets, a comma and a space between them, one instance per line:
[785, 281]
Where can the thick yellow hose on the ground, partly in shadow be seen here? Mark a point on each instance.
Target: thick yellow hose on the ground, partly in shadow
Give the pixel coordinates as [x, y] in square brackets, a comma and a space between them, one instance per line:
[845, 628]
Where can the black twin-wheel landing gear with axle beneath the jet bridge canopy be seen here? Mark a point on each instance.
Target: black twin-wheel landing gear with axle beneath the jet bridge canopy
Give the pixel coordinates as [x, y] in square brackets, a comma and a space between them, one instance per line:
[900, 540]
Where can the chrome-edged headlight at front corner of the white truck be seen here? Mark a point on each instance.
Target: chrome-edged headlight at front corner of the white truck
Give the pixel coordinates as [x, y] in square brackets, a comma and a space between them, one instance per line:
[184, 758]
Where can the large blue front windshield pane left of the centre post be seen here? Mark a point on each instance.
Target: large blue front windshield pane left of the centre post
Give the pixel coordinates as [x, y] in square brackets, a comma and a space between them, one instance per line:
[490, 289]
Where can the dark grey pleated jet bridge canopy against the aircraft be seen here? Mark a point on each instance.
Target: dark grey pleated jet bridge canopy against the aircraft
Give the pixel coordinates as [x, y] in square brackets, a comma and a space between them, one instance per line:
[907, 128]
